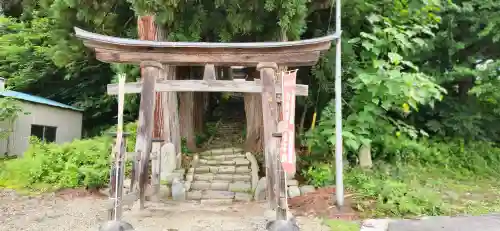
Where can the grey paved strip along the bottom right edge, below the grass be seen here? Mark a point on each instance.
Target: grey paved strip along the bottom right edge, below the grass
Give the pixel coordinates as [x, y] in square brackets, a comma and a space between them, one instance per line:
[488, 222]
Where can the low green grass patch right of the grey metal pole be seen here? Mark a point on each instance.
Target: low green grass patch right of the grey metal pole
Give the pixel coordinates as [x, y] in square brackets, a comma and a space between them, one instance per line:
[413, 191]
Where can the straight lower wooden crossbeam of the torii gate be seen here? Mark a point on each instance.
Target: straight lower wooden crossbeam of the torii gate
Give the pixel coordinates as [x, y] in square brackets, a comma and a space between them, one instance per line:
[205, 86]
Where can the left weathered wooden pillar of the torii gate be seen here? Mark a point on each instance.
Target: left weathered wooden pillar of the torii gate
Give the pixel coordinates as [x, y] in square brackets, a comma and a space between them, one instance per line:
[145, 124]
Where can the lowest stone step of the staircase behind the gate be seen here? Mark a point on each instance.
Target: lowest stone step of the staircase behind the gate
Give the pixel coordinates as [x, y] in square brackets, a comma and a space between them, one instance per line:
[218, 195]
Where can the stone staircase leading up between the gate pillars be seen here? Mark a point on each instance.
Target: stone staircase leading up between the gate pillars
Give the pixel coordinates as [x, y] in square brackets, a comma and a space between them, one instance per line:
[223, 175]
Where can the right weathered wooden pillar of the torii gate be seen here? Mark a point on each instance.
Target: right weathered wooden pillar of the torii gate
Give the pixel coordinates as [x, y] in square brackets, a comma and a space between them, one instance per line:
[270, 117]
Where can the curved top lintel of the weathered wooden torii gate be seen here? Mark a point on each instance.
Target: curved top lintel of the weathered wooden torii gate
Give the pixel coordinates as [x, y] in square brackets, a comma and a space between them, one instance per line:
[120, 50]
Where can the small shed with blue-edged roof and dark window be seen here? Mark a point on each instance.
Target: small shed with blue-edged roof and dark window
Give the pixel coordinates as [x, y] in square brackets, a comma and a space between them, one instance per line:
[46, 119]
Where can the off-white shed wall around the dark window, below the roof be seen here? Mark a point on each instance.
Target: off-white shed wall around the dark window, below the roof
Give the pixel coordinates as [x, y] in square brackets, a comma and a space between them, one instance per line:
[68, 123]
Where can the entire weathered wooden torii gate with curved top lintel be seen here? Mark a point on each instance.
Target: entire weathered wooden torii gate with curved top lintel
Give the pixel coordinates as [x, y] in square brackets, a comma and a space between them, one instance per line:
[153, 55]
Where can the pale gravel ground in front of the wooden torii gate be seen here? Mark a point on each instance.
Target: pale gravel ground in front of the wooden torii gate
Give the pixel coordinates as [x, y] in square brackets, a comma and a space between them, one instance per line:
[52, 213]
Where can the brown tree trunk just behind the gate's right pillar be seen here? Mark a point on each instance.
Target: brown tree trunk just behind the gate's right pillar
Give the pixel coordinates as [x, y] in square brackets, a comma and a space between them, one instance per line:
[254, 122]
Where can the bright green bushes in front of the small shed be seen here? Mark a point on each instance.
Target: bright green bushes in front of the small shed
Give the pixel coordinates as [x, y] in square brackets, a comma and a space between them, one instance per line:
[49, 166]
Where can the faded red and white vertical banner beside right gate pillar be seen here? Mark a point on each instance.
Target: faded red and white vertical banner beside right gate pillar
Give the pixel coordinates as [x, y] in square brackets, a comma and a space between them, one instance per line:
[287, 149]
